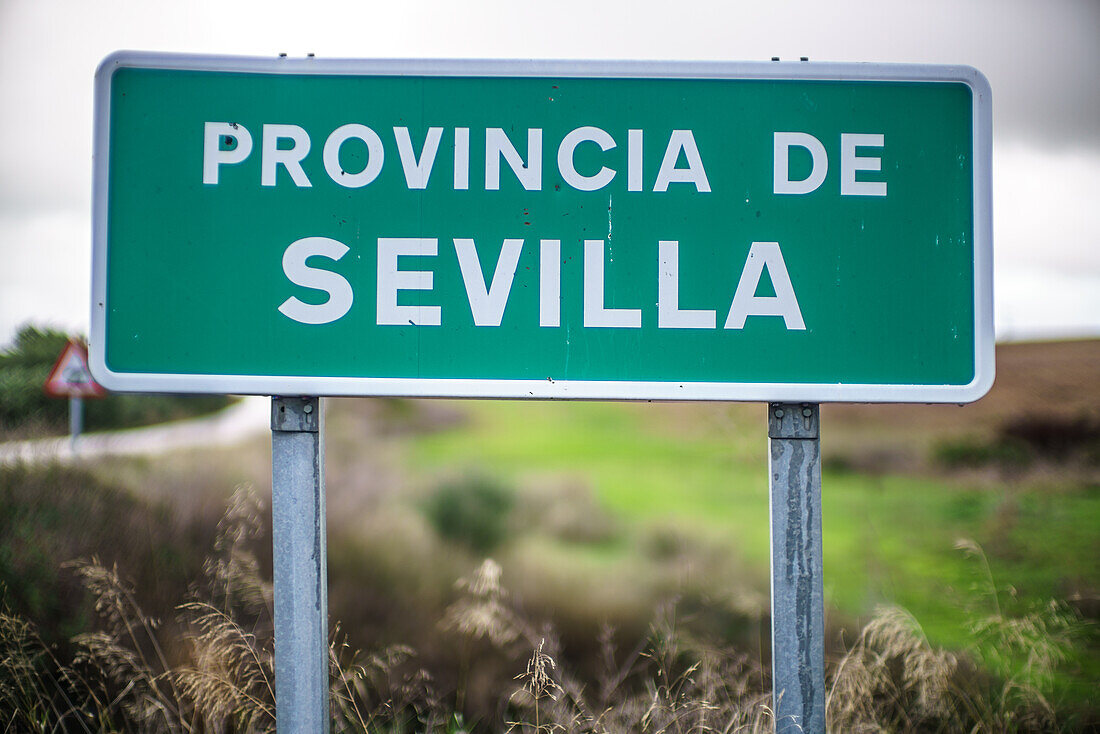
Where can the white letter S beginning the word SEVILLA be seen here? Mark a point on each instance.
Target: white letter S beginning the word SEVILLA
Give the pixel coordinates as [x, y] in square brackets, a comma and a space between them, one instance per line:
[300, 273]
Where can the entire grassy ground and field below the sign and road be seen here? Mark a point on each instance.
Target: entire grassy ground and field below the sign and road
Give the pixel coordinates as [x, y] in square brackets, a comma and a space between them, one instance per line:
[596, 516]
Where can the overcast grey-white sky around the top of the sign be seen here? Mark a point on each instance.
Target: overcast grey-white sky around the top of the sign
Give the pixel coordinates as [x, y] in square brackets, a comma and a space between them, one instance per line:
[1042, 60]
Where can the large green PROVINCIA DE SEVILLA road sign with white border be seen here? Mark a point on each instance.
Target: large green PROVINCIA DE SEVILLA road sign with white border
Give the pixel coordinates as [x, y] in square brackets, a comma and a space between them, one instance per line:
[543, 229]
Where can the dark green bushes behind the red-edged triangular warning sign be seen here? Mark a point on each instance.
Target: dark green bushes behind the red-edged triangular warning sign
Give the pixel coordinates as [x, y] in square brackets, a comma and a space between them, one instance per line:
[27, 412]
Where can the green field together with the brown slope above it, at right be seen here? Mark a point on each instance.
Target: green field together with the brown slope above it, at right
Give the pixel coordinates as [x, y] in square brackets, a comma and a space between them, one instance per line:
[1000, 534]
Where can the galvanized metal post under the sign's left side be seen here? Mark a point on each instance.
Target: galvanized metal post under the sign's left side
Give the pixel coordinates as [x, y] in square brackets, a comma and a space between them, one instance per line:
[301, 567]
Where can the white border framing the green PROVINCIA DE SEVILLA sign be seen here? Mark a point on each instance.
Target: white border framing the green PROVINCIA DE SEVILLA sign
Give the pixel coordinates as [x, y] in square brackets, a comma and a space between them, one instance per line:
[551, 389]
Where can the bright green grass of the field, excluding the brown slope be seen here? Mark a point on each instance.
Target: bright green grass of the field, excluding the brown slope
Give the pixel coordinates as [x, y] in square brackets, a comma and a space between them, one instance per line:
[888, 540]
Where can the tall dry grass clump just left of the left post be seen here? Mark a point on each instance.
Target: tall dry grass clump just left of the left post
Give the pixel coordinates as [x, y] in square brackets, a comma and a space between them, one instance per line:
[227, 677]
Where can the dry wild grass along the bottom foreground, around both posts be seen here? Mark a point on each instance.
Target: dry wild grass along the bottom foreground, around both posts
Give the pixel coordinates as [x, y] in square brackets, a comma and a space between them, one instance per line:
[126, 676]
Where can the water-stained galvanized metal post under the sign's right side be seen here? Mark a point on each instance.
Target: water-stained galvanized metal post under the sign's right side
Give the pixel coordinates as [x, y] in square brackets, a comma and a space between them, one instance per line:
[798, 606]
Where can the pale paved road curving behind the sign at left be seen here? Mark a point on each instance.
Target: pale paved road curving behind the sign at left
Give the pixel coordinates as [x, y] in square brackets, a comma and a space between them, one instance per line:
[240, 421]
